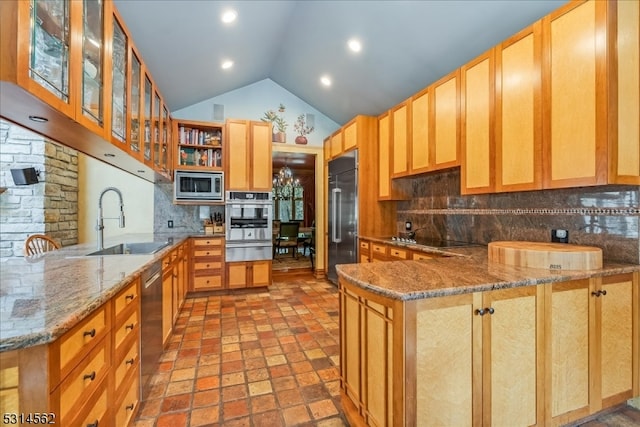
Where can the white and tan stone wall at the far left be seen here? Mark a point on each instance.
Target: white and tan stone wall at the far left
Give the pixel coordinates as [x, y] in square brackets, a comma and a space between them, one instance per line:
[49, 207]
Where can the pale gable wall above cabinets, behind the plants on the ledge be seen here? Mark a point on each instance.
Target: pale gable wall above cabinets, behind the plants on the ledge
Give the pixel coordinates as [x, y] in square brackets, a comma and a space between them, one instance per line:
[251, 102]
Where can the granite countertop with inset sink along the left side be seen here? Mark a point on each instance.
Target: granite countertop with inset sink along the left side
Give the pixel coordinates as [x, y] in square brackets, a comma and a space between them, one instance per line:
[42, 297]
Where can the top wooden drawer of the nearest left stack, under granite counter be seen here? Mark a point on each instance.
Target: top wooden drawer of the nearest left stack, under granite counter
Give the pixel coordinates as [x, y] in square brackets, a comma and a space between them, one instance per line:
[76, 343]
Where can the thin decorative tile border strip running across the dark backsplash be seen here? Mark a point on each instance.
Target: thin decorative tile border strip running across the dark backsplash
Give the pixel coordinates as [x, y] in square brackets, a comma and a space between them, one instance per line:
[527, 211]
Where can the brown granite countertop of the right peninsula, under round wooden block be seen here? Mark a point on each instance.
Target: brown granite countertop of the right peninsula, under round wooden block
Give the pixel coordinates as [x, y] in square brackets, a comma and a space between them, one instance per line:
[462, 270]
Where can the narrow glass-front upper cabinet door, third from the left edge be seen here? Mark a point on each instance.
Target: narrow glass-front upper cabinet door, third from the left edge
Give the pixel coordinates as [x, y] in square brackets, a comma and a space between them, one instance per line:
[120, 46]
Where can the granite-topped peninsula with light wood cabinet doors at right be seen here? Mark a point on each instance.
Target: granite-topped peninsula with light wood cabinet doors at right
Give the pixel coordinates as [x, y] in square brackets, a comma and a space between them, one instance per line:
[457, 340]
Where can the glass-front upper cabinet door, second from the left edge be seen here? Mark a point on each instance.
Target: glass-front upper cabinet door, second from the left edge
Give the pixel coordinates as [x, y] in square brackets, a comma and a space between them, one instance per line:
[92, 99]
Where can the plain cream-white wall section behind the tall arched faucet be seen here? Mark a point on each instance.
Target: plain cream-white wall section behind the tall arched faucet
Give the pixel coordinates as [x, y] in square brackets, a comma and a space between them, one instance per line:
[93, 177]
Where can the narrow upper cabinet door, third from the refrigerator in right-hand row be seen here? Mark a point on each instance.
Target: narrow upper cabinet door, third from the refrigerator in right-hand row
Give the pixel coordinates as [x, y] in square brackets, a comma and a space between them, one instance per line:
[419, 141]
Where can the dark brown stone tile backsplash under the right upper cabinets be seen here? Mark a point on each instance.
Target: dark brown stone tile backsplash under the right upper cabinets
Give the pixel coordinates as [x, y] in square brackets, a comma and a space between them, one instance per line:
[603, 216]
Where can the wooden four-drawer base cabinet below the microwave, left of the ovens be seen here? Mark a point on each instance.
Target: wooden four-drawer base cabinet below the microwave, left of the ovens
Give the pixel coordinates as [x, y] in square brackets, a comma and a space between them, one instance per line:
[207, 264]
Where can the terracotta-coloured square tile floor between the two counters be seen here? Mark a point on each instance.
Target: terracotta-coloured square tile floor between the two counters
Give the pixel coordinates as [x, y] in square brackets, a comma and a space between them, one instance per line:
[265, 359]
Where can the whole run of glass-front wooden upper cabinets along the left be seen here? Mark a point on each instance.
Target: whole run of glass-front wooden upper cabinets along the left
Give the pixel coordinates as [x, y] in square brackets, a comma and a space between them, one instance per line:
[63, 59]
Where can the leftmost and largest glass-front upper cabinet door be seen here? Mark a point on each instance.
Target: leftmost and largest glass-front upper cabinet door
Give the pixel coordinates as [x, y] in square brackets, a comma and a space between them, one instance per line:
[50, 53]
